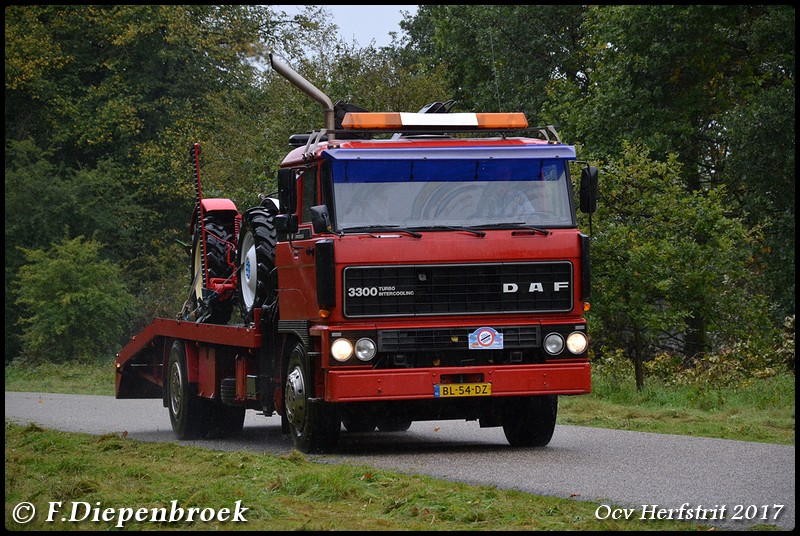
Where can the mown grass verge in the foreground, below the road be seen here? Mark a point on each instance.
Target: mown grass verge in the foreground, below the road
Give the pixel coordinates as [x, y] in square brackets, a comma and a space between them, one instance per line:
[280, 492]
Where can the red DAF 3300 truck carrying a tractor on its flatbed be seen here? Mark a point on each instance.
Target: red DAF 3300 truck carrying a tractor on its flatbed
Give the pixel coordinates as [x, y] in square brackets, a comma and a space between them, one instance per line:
[415, 266]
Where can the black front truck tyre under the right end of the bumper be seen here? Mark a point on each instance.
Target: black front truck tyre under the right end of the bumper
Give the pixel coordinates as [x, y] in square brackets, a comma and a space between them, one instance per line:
[530, 422]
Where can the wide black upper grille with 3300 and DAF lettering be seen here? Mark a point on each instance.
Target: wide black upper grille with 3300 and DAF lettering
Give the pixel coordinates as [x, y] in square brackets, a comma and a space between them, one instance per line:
[428, 290]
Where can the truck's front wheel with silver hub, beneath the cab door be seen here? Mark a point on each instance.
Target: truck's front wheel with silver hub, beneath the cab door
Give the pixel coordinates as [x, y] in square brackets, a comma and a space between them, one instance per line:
[313, 425]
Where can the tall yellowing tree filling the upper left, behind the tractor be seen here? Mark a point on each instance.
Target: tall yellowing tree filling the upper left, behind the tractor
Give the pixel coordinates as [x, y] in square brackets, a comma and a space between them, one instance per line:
[102, 104]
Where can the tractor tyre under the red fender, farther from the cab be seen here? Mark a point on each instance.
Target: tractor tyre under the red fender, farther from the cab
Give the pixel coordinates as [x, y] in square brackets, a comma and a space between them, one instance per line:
[219, 245]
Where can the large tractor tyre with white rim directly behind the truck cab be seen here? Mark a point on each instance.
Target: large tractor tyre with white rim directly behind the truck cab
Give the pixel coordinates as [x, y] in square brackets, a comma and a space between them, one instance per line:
[256, 261]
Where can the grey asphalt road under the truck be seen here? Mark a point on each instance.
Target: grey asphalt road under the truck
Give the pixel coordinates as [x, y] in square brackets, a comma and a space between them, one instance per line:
[642, 471]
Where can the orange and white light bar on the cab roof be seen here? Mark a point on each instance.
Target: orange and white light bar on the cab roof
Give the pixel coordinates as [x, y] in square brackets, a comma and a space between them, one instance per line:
[402, 120]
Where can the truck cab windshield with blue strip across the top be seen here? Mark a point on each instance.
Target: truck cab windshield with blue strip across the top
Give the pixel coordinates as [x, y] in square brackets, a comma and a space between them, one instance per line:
[451, 193]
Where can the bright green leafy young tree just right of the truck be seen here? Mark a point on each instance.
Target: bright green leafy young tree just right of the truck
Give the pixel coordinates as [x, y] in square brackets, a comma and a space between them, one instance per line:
[661, 254]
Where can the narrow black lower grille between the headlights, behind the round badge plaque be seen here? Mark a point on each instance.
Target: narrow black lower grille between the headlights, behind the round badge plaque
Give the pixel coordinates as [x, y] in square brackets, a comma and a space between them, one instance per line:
[410, 340]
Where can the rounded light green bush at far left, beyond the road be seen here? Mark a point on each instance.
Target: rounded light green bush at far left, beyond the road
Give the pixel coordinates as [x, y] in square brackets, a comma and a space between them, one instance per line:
[75, 305]
